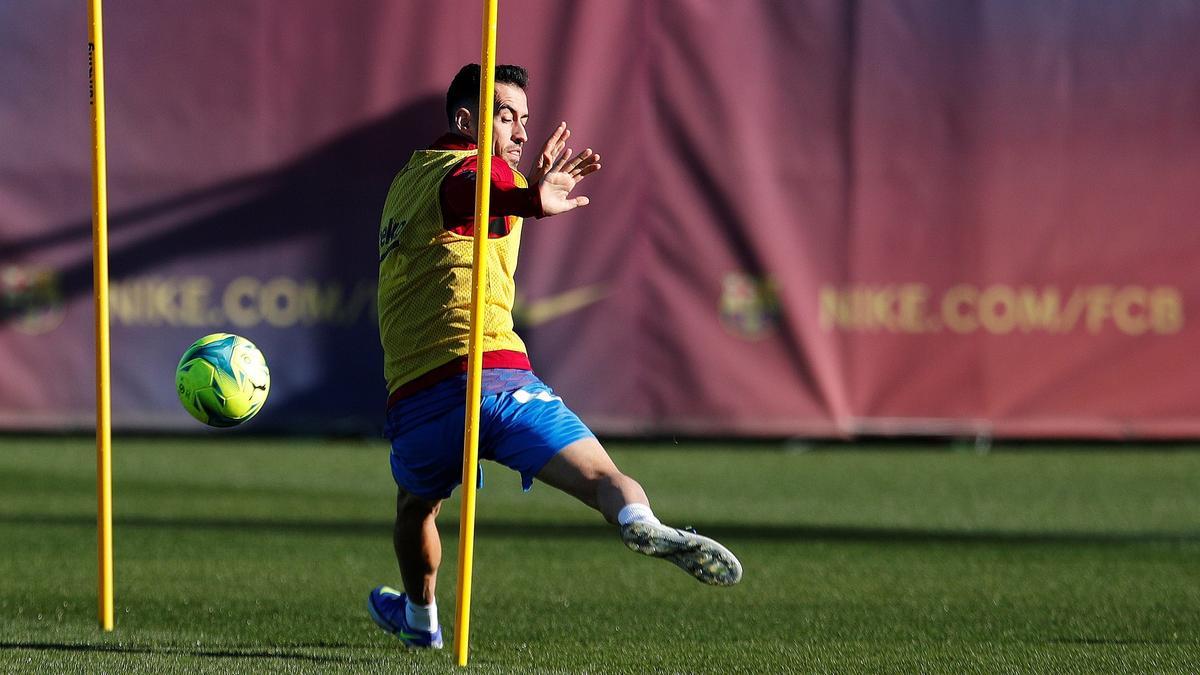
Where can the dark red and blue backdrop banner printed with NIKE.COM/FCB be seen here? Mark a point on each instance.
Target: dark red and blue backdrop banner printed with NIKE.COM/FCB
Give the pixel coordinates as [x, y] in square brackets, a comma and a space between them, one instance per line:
[815, 218]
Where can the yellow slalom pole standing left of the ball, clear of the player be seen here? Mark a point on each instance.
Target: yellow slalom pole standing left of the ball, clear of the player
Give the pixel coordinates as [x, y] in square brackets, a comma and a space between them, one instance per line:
[100, 267]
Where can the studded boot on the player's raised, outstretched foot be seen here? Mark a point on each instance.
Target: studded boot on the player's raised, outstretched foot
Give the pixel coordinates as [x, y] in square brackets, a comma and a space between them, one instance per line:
[705, 559]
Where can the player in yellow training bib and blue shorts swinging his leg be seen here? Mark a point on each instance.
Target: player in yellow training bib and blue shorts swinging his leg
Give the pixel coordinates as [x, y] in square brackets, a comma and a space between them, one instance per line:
[425, 277]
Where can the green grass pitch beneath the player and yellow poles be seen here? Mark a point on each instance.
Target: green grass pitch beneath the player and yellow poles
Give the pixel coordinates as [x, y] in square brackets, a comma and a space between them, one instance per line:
[242, 554]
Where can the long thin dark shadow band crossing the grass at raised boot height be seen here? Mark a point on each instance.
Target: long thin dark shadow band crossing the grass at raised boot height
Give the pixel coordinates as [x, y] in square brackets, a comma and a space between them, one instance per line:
[527, 530]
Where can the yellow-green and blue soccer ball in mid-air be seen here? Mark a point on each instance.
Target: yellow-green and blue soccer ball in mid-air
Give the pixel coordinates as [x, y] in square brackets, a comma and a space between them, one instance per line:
[223, 380]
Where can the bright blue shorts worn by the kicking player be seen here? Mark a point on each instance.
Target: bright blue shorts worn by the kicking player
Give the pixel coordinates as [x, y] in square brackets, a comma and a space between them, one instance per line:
[520, 428]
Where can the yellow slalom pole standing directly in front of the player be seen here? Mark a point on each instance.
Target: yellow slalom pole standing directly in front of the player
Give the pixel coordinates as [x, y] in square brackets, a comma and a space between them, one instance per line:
[476, 349]
